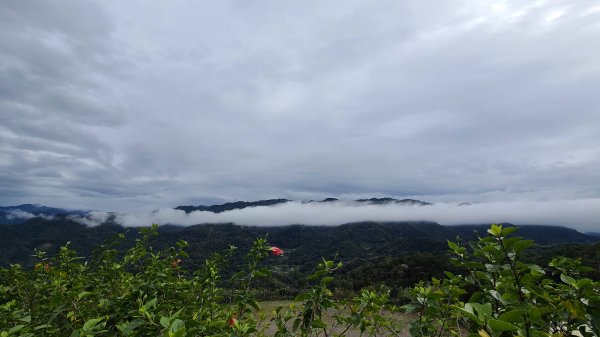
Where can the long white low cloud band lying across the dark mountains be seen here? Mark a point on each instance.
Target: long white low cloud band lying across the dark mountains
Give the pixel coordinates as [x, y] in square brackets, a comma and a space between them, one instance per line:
[582, 214]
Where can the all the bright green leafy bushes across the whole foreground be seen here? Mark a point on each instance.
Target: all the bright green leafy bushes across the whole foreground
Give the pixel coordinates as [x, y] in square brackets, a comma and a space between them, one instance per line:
[145, 291]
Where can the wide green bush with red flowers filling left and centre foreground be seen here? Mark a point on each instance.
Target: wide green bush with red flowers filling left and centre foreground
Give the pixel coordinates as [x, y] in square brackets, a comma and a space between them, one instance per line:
[148, 293]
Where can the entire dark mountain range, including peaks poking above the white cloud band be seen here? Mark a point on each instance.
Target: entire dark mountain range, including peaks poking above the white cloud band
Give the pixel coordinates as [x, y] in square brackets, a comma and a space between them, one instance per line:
[395, 253]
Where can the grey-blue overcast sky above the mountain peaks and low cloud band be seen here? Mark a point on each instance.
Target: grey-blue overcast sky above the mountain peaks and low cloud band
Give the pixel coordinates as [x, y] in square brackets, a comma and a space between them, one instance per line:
[135, 105]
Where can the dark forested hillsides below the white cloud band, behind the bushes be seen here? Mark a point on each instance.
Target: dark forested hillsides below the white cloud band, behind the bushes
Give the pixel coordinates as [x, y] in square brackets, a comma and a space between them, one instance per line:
[397, 254]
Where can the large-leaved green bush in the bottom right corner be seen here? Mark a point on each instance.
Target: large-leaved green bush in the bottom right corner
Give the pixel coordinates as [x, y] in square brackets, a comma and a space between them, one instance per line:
[498, 295]
